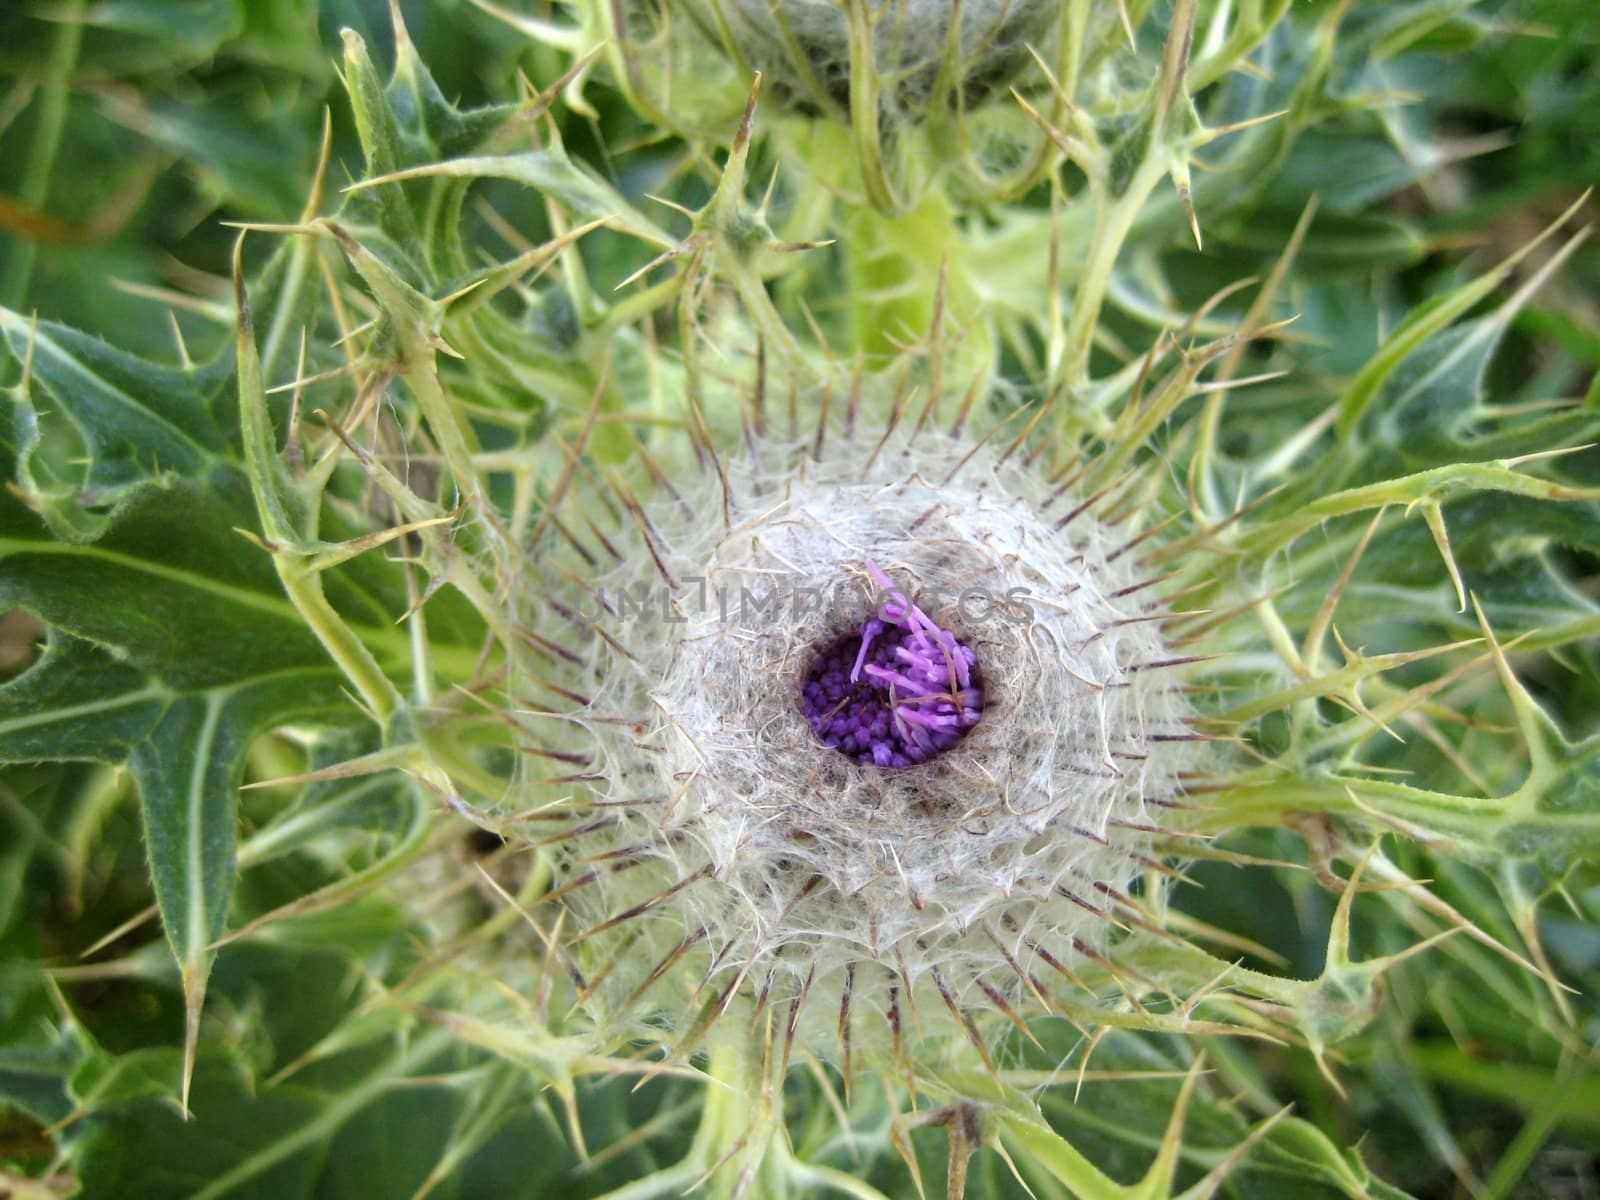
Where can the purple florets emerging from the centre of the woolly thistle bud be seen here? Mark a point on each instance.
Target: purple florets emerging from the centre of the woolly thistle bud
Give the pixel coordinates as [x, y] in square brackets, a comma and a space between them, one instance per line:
[900, 692]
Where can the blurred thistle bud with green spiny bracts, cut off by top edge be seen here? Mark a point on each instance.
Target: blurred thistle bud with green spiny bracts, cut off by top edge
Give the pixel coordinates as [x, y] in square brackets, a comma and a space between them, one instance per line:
[919, 87]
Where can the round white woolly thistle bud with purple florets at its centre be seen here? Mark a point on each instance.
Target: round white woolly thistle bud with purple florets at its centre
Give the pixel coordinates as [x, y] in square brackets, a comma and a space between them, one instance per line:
[868, 719]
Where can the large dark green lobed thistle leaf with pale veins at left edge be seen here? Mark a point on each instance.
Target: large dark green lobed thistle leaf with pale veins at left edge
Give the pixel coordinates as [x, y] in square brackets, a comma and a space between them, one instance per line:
[169, 654]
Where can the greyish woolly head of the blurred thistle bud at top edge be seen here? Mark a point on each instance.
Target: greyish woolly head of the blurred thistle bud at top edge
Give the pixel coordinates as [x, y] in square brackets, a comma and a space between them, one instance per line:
[804, 46]
